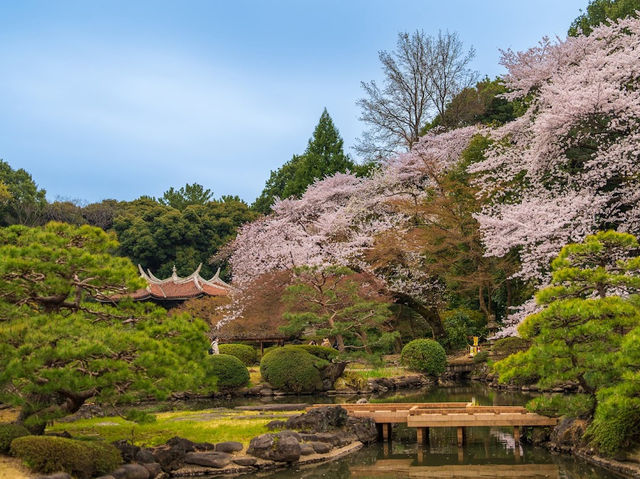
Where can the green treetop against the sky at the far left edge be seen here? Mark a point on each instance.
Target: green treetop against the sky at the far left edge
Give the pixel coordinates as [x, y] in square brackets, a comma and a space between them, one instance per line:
[21, 202]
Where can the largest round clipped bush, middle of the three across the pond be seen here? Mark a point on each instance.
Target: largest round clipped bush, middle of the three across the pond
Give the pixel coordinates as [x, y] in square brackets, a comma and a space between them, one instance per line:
[291, 368]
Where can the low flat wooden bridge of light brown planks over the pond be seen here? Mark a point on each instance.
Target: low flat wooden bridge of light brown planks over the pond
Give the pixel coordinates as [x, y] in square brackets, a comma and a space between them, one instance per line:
[423, 416]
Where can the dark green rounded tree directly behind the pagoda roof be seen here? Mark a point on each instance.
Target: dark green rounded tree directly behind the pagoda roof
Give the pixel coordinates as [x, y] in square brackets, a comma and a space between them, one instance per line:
[159, 237]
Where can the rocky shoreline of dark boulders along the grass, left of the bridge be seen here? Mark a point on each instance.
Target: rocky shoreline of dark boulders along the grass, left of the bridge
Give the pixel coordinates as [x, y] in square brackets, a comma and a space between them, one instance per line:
[320, 435]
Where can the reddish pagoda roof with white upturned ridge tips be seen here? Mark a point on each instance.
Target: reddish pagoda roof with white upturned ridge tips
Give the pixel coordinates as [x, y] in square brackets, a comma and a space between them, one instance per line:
[176, 288]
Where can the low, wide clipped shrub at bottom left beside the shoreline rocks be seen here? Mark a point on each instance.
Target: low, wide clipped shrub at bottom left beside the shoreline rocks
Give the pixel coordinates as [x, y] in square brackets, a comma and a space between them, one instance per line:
[82, 459]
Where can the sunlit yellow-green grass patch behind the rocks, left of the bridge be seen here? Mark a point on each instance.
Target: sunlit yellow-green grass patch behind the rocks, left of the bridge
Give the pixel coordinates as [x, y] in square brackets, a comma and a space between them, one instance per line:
[212, 425]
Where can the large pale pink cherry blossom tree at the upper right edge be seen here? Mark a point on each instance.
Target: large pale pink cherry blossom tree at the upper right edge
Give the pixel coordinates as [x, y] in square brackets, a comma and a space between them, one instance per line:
[569, 166]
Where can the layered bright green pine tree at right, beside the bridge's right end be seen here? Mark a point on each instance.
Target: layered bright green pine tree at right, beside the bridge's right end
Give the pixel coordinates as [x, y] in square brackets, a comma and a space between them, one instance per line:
[577, 336]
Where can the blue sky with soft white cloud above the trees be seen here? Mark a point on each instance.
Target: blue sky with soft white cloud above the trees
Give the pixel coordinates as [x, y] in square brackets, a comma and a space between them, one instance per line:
[118, 99]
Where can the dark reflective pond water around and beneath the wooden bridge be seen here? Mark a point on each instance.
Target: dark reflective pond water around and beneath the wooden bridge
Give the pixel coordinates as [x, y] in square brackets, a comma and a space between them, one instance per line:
[488, 452]
